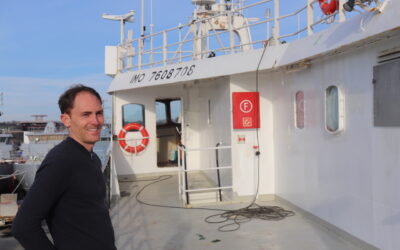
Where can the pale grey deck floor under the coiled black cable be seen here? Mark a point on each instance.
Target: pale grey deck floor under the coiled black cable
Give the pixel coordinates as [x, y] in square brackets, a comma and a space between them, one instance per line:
[145, 227]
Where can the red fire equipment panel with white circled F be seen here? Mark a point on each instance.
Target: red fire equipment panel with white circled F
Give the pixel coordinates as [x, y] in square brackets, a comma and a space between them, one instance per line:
[246, 110]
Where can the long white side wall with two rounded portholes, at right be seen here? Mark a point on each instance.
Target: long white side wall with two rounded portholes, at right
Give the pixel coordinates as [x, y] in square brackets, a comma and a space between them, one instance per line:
[351, 179]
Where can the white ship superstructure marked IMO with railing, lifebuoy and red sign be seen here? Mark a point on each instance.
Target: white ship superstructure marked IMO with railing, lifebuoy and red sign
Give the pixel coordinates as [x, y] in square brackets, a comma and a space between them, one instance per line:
[312, 121]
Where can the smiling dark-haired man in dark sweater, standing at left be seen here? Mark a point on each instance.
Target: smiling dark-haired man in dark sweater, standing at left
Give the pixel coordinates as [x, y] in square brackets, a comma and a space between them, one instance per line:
[69, 189]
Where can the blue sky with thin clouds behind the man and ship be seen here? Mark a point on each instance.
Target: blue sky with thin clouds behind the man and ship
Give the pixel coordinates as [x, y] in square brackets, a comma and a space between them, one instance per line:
[48, 45]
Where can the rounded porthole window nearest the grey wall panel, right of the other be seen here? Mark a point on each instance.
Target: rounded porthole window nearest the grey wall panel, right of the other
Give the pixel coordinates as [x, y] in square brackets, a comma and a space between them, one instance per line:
[334, 114]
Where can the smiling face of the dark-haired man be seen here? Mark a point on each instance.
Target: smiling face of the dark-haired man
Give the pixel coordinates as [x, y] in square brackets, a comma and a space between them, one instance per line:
[85, 119]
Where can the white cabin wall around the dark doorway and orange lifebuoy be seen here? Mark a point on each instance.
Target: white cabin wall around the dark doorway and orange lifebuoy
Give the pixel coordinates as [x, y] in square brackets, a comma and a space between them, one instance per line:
[198, 130]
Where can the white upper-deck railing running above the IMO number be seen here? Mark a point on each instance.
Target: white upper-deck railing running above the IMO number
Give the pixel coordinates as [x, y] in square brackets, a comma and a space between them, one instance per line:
[178, 44]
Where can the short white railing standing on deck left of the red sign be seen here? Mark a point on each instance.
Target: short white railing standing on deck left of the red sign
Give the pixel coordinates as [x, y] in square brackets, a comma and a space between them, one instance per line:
[183, 171]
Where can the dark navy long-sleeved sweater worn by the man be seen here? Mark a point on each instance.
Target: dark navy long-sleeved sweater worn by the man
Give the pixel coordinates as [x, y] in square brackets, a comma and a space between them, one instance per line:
[69, 193]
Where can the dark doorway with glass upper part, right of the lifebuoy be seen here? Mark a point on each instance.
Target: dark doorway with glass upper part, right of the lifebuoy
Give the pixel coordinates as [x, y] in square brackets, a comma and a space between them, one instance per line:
[168, 130]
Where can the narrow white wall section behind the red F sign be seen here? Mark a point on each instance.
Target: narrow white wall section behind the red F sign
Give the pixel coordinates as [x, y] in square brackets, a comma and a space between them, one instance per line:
[245, 165]
